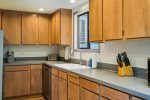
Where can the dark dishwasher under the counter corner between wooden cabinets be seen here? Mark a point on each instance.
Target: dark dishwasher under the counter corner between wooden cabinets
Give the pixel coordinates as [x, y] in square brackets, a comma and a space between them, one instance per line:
[46, 81]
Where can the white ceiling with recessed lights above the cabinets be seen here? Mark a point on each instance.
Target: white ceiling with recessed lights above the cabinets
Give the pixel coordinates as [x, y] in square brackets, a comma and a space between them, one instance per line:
[34, 5]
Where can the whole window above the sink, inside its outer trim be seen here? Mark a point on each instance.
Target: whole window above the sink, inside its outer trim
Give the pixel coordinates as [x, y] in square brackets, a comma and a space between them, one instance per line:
[81, 23]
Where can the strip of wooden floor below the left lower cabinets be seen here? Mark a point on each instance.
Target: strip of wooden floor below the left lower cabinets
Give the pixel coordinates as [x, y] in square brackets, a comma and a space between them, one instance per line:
[27, 98]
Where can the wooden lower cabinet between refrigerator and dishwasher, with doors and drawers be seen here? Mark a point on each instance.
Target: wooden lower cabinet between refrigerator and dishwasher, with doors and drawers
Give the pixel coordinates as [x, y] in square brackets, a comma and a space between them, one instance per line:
[22, 80]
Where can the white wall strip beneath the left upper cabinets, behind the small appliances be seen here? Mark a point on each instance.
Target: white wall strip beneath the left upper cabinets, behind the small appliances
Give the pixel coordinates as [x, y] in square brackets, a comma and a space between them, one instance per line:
[31, 50]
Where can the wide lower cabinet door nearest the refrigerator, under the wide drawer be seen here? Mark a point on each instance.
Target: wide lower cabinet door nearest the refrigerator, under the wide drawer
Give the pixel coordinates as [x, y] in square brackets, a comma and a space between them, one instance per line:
[16, 82]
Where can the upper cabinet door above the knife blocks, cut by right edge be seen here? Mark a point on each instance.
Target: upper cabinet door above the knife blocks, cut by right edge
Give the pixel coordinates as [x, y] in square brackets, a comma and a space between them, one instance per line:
[136, 18]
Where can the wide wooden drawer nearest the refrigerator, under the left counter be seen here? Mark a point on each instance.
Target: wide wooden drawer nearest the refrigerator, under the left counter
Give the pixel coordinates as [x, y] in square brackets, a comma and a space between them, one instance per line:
[16, 68]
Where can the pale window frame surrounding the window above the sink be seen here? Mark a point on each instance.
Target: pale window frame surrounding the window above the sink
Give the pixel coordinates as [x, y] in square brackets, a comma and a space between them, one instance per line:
[75, 14]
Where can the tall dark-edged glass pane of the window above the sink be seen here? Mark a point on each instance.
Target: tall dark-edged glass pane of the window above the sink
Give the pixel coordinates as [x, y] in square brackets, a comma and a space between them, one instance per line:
[83, 31]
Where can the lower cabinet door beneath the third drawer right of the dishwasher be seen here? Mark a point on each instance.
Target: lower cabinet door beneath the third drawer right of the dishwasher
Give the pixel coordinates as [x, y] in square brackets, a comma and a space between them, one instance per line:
[73, 91]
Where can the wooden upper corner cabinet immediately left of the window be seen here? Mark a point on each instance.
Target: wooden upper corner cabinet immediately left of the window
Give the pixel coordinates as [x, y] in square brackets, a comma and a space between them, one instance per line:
[61, 27]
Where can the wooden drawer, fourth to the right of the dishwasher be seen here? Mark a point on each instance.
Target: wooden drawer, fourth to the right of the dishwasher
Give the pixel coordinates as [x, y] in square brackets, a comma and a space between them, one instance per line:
[94, 87]
